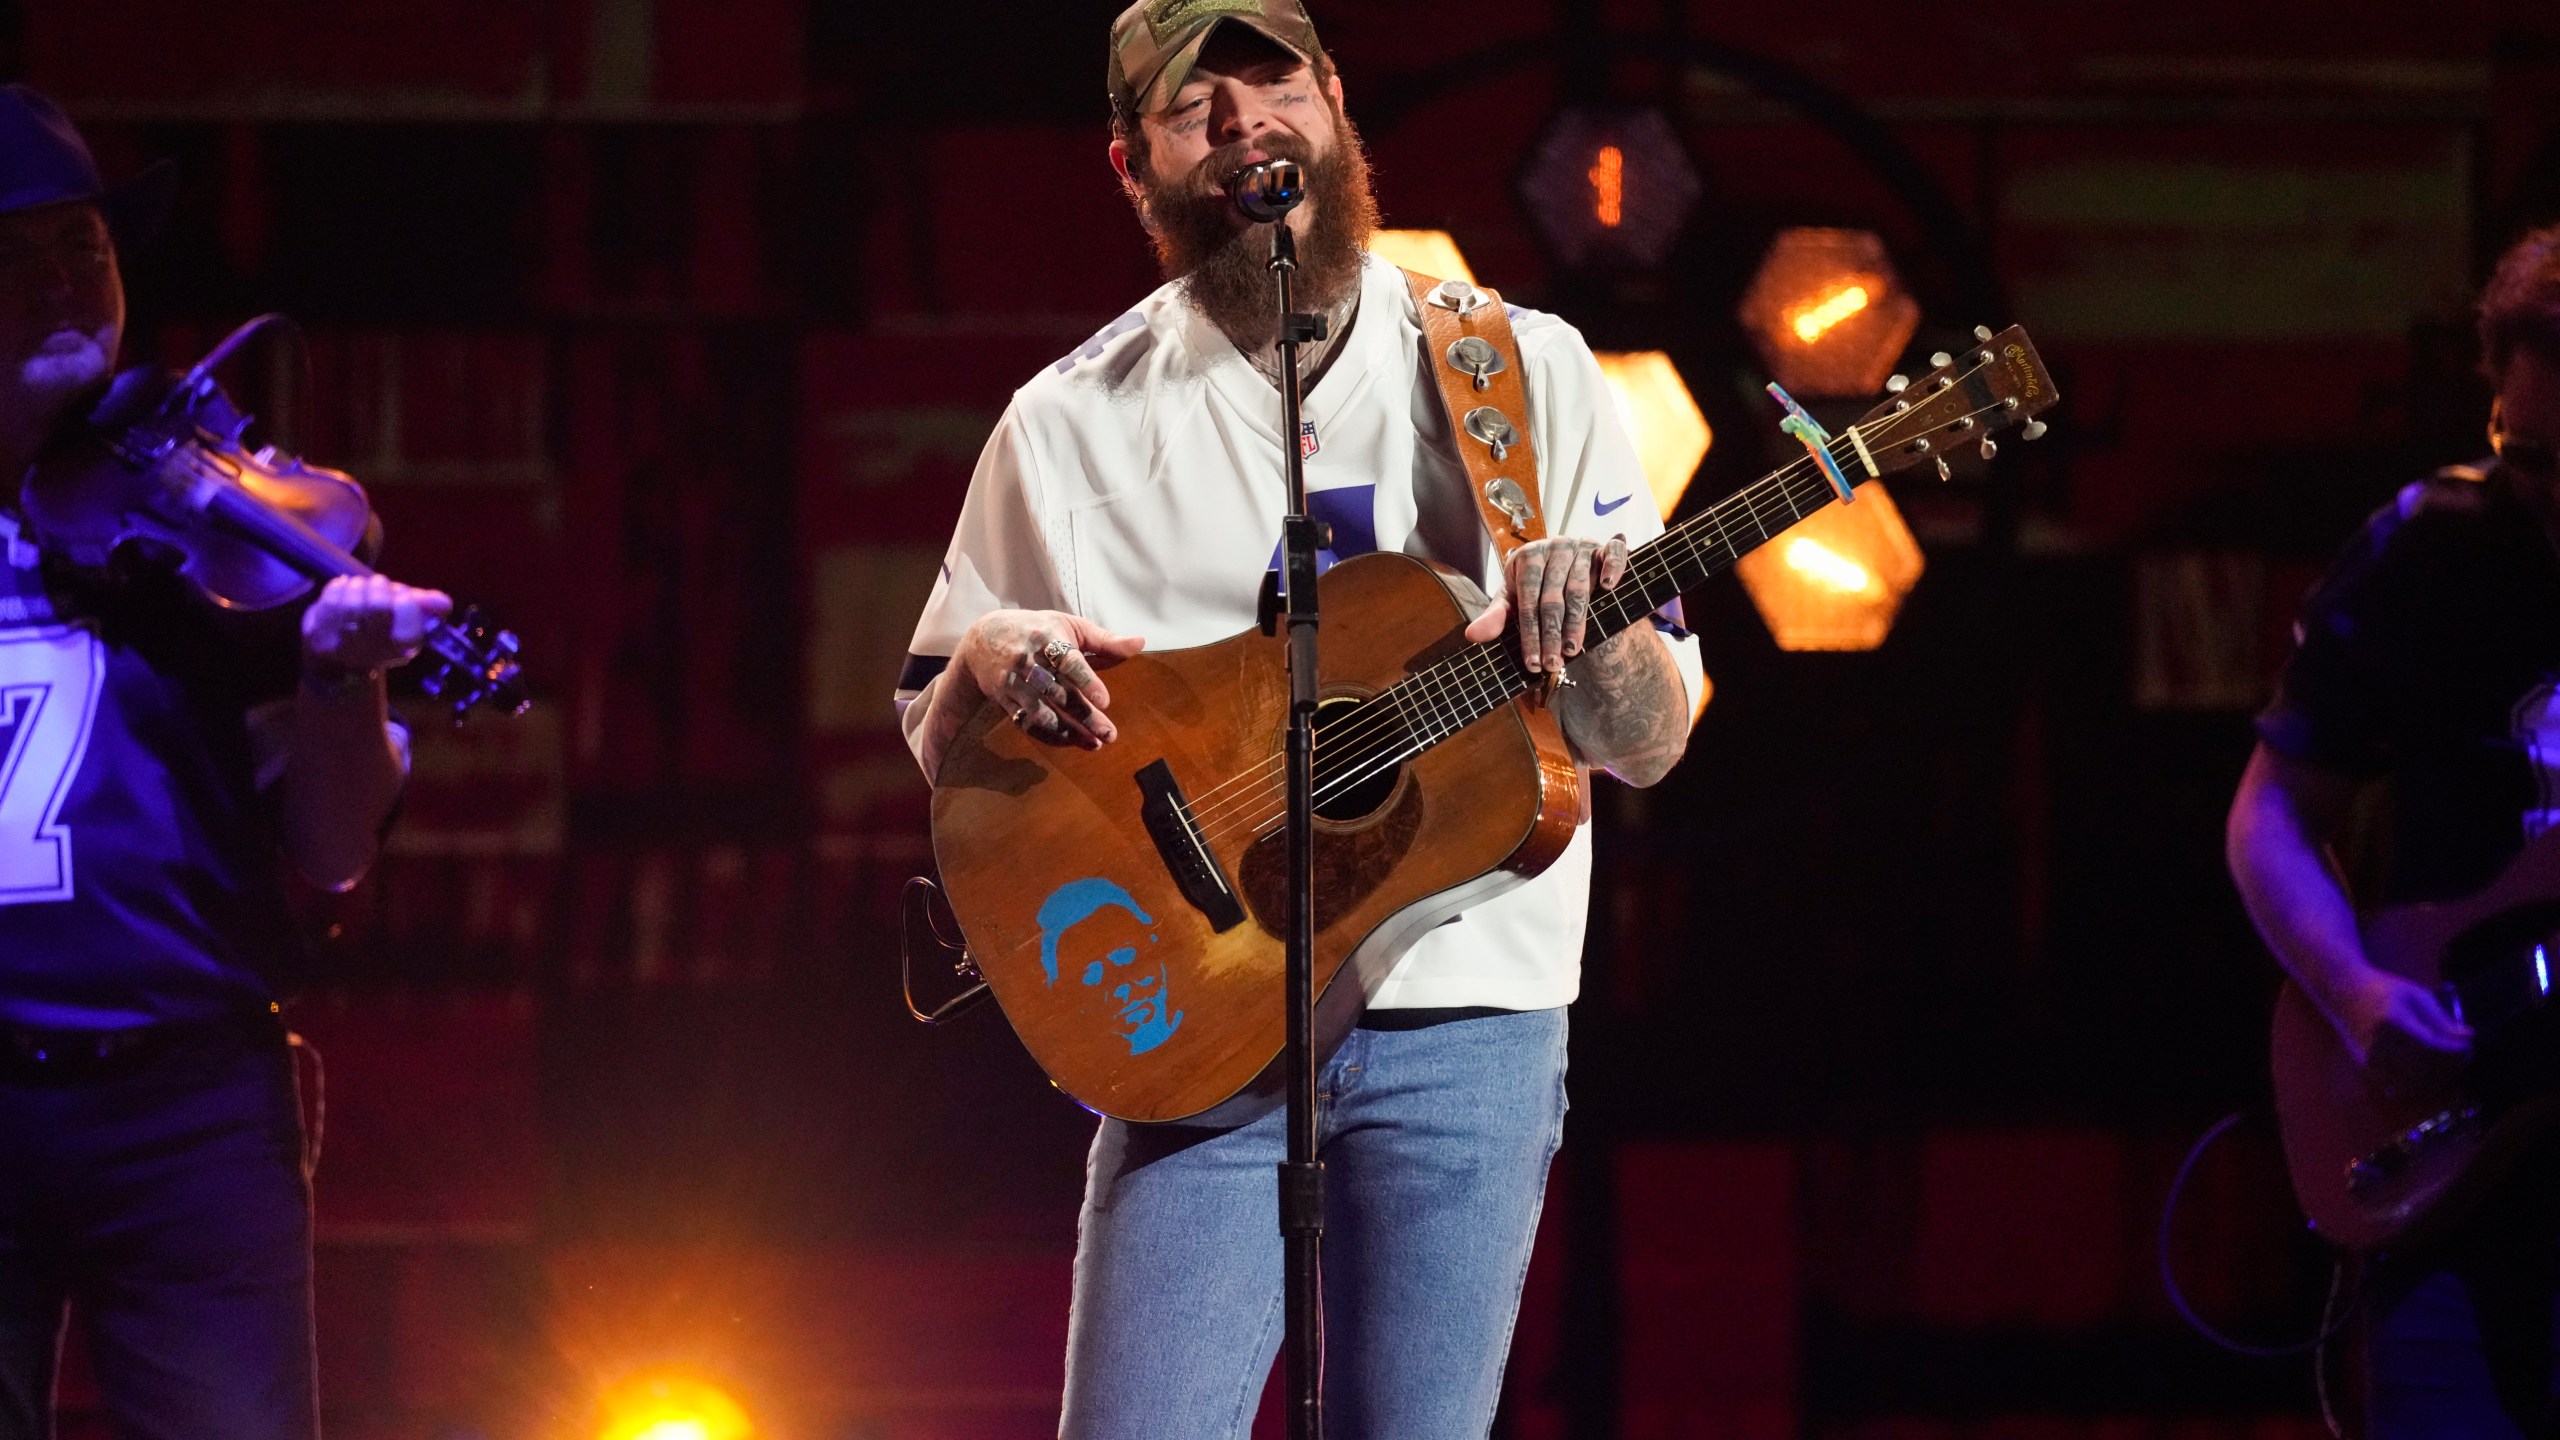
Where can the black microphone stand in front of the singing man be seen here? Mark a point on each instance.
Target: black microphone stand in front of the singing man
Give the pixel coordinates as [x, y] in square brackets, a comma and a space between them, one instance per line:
[1302, 1177]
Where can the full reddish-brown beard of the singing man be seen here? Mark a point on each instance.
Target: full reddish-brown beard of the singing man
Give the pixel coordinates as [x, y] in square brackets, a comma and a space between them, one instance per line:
[1225, 270]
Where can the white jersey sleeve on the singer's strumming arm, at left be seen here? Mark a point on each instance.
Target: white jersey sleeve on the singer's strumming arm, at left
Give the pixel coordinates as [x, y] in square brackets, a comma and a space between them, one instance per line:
[1000, 560]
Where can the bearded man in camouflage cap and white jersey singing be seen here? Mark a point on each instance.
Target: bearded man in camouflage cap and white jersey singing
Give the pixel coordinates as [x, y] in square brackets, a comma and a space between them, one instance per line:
[1133, 496]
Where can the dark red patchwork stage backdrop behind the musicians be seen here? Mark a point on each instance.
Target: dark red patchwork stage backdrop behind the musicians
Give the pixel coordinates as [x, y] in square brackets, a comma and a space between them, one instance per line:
[672, 329]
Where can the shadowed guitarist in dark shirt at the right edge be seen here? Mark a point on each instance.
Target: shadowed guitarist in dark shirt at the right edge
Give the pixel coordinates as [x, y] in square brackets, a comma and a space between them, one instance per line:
[2431, 660]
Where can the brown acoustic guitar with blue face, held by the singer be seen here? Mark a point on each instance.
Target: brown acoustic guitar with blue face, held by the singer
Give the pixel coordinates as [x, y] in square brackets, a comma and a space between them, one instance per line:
[1128, 906]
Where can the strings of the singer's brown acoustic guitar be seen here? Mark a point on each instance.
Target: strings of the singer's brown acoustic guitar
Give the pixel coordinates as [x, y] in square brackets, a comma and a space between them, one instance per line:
[1466, 688]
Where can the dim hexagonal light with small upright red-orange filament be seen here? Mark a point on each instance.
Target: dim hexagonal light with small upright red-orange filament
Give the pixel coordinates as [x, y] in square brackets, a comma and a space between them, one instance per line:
[1609, 188]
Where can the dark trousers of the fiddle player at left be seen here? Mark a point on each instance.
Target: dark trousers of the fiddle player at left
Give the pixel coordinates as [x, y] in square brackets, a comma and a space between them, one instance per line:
[168, 1200]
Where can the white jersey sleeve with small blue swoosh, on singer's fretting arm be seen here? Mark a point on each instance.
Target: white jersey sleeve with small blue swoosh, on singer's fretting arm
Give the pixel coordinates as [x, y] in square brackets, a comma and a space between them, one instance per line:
[1591, 483]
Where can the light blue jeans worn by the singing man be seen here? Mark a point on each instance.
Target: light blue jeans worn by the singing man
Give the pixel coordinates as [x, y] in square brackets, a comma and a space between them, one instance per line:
[1435, 1147]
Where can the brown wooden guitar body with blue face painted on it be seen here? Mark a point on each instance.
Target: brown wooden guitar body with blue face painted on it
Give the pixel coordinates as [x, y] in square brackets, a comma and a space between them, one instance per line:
[1115, 975]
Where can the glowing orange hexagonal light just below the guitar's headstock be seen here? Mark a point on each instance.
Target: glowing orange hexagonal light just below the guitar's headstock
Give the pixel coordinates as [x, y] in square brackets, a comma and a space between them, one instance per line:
[1837, 578]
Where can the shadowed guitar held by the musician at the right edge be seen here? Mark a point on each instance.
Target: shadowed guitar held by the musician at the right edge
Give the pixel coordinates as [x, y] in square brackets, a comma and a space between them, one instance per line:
[2380, 1170]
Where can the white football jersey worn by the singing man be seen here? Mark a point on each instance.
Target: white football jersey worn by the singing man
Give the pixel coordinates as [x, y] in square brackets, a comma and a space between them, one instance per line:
[1138, 483]
